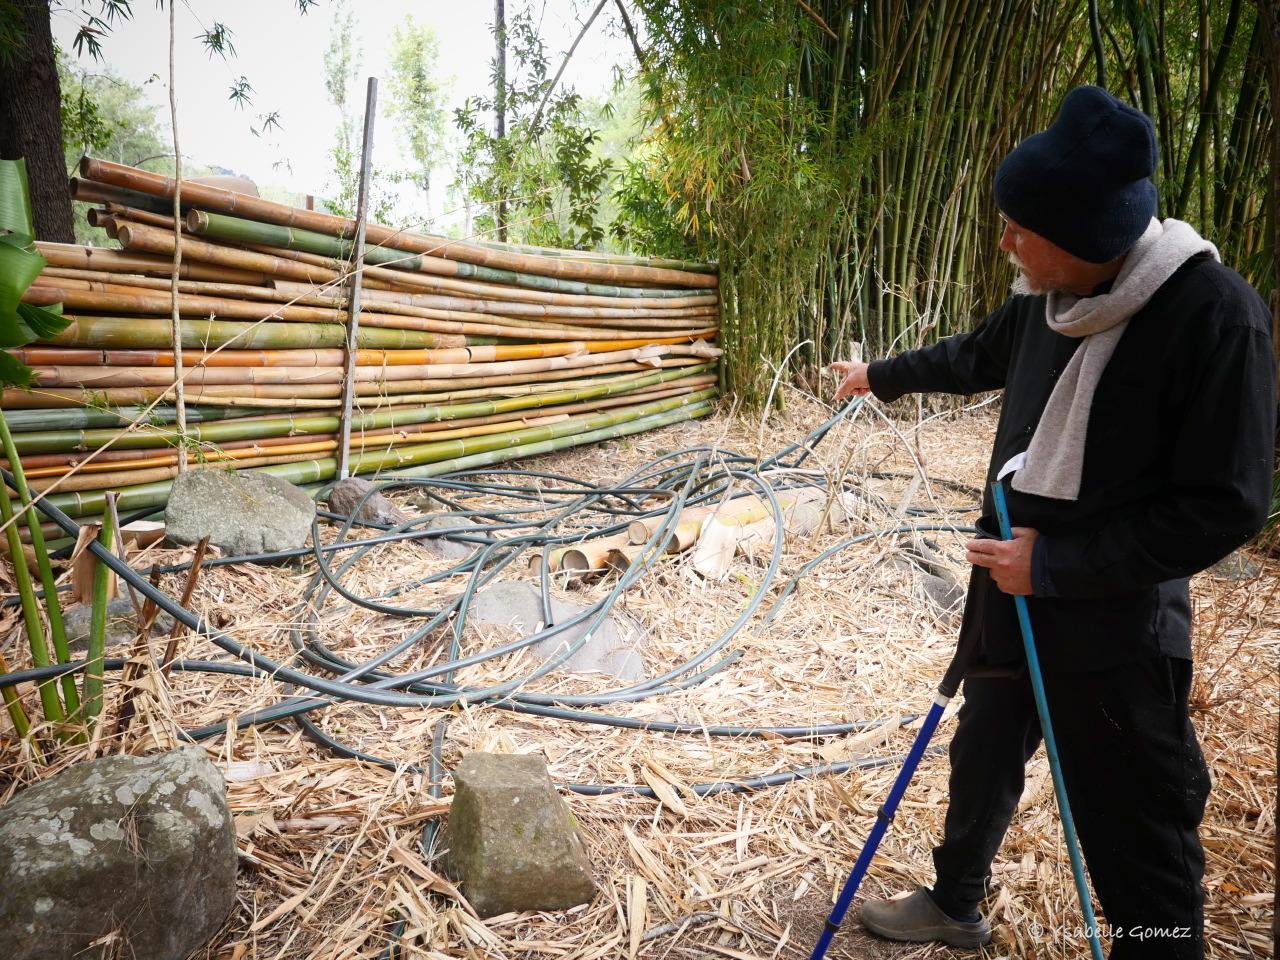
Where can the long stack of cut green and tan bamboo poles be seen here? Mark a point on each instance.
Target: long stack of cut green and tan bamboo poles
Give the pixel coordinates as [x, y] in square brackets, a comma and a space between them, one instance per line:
[468, 353]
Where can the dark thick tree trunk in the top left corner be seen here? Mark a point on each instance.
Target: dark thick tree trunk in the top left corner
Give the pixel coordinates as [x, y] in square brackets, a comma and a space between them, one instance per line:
[31, 124]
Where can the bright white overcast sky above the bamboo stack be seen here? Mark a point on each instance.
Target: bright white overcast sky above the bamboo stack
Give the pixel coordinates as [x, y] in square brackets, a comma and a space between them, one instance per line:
[282, 56]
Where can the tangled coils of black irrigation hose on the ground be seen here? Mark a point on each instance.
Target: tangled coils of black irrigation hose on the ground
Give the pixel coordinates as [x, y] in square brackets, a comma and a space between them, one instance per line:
[679, 477]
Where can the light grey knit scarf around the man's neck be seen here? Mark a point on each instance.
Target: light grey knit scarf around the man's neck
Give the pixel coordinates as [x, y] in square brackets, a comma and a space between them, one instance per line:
[1055, 460]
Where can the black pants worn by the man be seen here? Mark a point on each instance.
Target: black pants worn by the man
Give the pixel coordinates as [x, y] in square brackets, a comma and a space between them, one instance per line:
[1137, 783]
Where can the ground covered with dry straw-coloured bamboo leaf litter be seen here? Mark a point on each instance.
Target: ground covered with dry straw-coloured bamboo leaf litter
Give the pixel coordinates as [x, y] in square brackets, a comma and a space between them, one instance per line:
[330, 848]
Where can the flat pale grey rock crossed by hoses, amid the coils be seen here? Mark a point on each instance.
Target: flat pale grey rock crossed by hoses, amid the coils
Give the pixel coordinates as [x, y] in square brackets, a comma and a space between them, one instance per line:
[614, 648]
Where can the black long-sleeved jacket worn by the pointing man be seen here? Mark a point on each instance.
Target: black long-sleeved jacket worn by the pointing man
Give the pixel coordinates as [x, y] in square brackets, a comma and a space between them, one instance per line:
[1177, 467]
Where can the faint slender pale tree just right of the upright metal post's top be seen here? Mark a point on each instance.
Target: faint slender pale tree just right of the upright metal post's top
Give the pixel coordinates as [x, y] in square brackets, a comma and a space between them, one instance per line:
[418, 102]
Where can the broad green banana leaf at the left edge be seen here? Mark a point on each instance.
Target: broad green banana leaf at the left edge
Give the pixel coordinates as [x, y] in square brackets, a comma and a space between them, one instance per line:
[20, 266]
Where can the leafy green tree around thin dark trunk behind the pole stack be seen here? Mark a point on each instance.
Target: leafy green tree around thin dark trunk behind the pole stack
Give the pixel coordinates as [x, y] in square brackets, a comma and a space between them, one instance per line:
[547, 167]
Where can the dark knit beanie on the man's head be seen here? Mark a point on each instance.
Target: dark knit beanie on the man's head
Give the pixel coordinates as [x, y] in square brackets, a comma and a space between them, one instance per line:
[1085, 184]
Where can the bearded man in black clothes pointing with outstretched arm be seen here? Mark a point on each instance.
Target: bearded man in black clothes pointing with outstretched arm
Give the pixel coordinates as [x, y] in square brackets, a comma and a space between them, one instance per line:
[1136, 446]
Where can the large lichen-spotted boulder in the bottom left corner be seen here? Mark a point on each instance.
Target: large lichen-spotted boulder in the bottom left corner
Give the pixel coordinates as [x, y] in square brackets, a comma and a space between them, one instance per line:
[139, 848]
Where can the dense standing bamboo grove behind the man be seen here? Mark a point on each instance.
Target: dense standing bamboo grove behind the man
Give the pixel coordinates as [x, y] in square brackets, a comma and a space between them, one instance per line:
[836, 158]
